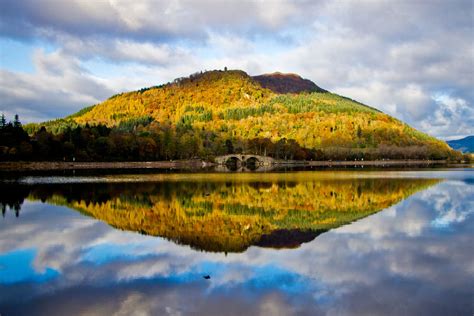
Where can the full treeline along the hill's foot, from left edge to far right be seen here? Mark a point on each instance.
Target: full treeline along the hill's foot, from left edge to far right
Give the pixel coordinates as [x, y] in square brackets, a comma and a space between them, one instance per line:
[146, 140]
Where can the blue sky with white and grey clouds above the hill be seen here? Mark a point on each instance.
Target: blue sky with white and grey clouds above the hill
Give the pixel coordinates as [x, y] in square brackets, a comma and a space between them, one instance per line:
[413, 59]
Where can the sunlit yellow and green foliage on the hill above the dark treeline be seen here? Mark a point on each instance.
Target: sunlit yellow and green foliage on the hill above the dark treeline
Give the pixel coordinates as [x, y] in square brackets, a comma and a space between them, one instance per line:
[231, 105]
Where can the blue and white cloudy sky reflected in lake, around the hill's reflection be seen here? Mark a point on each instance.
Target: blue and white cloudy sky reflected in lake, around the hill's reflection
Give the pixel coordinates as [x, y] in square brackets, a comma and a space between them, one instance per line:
[399, 261]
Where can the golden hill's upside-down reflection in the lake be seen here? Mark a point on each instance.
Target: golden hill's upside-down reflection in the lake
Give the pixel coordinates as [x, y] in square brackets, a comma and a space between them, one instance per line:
[223, 213]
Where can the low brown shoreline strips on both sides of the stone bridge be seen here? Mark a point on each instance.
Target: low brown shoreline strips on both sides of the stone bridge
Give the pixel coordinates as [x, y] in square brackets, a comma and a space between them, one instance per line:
[198, 164]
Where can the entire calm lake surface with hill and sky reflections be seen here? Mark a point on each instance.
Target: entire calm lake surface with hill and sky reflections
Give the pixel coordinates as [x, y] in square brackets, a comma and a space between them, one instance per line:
[295, 243]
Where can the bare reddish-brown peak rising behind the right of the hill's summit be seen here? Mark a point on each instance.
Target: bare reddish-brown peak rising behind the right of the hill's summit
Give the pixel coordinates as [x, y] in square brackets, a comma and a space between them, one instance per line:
[287, 83]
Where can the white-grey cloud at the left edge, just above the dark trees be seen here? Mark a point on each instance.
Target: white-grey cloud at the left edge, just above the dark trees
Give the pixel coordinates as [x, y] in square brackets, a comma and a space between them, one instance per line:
[59, 86]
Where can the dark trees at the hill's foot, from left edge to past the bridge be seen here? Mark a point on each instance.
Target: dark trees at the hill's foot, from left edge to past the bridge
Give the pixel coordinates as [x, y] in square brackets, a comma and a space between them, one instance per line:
[141, 140]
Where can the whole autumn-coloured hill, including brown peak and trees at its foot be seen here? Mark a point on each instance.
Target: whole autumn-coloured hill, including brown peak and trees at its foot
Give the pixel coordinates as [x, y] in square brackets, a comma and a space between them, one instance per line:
[217, 112]
